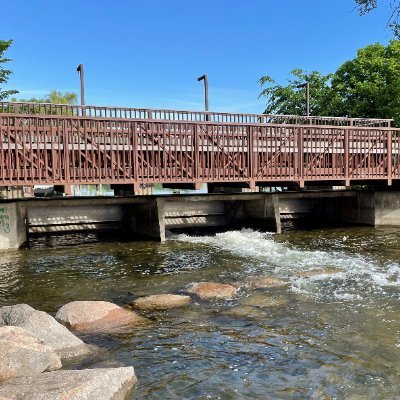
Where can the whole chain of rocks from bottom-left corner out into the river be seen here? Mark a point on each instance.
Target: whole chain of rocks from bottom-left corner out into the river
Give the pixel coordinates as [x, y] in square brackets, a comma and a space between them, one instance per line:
[34, 345]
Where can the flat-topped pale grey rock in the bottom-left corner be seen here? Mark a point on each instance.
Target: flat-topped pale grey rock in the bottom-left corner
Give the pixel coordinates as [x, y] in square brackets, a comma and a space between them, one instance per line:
[87, 384]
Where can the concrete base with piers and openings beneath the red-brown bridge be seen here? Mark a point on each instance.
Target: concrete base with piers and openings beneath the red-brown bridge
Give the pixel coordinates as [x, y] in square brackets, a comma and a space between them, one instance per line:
[151, 216]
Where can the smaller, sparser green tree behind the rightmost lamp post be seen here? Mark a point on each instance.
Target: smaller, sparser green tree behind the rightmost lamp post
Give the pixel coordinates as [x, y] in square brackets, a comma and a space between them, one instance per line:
[291, 99]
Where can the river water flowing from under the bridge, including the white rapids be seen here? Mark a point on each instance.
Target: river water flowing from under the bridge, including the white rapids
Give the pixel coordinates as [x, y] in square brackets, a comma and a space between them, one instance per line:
[333, 335]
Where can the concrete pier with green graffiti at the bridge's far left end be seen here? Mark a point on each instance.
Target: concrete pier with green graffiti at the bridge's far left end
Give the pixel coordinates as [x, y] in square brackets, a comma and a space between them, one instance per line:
[13, 231]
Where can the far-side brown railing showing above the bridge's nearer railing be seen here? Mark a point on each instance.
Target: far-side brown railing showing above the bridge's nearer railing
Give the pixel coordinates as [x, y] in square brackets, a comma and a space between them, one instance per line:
[177, 115]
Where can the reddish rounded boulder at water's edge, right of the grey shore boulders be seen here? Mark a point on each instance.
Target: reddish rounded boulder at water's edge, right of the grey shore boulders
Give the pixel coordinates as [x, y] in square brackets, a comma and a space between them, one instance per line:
[98, 316]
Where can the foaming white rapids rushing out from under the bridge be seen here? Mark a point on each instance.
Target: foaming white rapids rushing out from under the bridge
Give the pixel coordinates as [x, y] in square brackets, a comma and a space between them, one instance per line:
[338, 274]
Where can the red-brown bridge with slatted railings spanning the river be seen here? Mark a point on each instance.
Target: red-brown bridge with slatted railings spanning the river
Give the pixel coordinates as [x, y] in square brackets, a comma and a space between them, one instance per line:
[50, 144]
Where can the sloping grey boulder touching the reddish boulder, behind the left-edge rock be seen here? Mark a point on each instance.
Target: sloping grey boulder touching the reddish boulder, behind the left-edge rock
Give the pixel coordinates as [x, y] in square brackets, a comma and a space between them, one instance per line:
[45, 328]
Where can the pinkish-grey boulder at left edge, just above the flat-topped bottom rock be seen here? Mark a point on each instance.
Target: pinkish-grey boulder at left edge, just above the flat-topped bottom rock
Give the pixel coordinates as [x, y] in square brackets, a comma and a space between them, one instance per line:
[24, 354]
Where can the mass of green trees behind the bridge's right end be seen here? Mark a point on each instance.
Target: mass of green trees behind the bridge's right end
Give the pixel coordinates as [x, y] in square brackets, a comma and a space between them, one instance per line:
[366, 86]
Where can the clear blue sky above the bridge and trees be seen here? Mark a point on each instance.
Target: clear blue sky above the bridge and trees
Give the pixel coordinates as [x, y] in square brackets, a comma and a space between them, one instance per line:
[149, 53]
